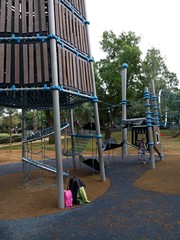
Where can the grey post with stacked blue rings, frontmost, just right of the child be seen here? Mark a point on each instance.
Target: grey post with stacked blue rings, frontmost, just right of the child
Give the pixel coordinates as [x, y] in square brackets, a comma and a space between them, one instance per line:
[149, 126]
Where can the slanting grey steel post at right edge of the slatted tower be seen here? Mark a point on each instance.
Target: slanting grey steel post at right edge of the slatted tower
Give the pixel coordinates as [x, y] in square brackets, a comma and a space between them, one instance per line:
[96, 117]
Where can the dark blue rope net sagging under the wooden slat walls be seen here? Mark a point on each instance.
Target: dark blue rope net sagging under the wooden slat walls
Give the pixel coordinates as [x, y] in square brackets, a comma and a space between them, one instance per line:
[41, 98]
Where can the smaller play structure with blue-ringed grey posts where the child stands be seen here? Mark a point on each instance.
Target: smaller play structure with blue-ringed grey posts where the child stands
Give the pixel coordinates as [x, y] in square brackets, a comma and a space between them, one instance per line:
[151, 130]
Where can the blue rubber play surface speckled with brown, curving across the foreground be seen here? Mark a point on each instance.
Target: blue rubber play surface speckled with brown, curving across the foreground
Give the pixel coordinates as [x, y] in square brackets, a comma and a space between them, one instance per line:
[123, 212]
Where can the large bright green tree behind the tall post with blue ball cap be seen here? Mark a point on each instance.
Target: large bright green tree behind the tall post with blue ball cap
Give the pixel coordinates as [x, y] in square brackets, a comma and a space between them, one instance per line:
[119, 50]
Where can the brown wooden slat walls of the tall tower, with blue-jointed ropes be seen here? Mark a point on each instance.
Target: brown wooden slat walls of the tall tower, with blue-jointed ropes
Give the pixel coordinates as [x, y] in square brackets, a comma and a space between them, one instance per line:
[24, 44]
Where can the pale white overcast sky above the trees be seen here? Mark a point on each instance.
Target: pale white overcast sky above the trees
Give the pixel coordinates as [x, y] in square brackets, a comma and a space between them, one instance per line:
[155, 21]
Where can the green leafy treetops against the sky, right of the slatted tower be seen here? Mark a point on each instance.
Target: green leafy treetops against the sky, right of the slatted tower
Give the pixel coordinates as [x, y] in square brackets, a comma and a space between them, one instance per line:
[125, 49]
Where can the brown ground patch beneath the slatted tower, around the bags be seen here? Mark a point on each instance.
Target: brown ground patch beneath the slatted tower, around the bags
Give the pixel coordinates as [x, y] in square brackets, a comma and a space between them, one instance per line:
[39, 196]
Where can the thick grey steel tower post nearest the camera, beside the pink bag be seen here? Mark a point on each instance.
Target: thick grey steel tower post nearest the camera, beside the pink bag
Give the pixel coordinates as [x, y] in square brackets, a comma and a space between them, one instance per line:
[56, 107]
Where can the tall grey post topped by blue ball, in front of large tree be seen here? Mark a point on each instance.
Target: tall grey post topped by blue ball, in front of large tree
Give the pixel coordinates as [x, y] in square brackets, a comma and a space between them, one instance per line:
[124, 113]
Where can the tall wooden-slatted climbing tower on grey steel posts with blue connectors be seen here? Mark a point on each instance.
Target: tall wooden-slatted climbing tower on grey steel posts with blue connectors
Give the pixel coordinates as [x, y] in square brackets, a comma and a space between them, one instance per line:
[46, 64]
